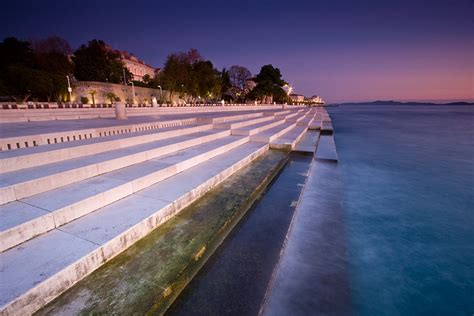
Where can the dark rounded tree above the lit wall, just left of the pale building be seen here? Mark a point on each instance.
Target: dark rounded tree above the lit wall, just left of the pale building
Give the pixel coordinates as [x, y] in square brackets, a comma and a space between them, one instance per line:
[98, 62]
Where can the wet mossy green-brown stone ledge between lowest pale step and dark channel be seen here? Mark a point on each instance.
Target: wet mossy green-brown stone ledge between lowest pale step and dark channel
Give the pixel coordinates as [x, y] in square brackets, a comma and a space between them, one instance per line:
[150, 274]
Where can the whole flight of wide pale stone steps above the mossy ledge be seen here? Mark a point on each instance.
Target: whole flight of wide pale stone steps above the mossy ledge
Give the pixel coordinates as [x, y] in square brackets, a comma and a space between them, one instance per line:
[69, 207]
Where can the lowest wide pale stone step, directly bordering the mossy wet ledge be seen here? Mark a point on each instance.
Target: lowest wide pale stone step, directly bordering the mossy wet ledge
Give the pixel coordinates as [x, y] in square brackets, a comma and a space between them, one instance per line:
[64, 256]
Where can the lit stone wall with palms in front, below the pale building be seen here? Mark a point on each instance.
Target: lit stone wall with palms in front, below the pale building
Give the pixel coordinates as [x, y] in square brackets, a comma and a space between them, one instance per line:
[142, 95]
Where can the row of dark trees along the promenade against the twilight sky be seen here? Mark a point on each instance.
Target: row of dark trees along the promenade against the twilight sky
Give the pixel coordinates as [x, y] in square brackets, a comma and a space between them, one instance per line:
[37, 70]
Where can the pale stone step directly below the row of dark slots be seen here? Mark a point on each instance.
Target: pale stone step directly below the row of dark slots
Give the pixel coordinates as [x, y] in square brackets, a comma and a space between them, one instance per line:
[37, 156]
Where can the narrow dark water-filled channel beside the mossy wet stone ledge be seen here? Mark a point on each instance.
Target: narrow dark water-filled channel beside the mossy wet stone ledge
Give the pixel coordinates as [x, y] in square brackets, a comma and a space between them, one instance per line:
[236, 277]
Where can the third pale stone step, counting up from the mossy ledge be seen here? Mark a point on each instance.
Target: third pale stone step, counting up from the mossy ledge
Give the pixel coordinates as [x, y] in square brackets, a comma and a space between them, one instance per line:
[27, 182]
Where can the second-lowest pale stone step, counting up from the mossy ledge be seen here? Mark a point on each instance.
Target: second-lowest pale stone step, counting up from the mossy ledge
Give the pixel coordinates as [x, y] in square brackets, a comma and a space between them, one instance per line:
[29, 217]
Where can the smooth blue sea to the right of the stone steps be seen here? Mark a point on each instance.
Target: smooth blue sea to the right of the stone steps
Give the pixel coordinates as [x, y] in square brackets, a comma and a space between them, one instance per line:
[408, 174]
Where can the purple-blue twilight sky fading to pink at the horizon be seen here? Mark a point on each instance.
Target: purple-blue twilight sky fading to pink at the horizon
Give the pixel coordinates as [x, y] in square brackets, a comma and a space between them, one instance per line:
[342, 50]
